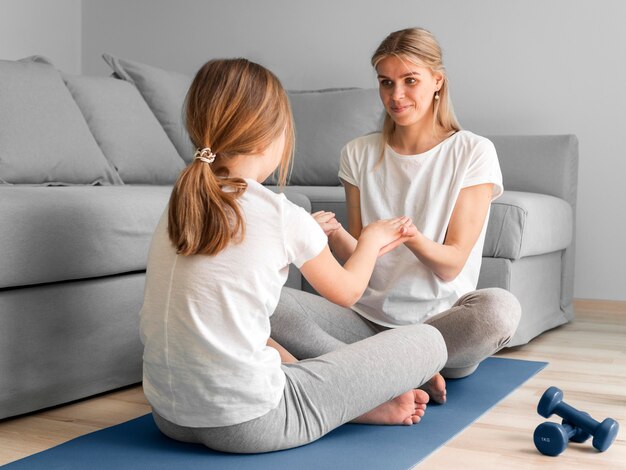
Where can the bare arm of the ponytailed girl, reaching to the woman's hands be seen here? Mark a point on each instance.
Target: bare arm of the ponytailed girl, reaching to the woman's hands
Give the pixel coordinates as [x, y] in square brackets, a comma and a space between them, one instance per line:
[345, 284]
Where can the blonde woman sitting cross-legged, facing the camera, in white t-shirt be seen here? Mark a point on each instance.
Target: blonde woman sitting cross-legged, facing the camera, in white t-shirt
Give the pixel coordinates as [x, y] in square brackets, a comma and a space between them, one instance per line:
[444, 178]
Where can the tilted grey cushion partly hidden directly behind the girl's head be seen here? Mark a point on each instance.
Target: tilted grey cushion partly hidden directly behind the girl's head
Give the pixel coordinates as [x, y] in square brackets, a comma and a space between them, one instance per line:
[165, 92]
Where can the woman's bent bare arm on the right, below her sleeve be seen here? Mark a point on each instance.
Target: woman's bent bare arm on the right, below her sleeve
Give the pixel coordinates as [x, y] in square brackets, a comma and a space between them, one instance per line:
[468, 217]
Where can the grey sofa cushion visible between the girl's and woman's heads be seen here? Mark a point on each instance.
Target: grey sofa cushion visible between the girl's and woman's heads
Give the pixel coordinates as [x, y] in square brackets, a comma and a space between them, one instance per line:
[325, 121]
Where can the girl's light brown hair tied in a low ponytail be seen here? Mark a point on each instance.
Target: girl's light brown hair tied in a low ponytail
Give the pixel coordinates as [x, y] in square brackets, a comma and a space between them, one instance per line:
[234, 107]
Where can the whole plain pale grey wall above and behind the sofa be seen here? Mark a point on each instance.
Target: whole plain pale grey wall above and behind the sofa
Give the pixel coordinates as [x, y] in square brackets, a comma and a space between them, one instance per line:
[520, 67]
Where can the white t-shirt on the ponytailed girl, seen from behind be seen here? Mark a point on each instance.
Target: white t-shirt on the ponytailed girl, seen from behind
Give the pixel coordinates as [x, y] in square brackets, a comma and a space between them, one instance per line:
[205, 319]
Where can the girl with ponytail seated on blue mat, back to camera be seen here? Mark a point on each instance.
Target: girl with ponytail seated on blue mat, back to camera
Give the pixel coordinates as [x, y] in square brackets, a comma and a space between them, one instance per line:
[218, 260]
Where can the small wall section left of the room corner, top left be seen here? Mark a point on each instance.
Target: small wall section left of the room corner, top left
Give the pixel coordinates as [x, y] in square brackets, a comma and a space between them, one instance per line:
[42, 27]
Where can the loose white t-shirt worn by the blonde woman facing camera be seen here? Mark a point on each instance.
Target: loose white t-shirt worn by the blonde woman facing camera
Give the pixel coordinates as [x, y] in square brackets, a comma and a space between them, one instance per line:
[425, 187]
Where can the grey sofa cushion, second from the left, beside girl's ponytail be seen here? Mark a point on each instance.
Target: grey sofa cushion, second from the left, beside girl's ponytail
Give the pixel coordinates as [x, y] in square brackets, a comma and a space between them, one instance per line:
[127, 132]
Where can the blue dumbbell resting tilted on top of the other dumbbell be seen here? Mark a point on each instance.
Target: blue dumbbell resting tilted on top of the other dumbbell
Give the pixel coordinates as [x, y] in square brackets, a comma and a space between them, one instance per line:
[603, 433]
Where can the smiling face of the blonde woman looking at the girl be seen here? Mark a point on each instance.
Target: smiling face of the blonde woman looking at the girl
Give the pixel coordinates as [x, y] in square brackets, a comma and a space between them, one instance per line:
[407, 90]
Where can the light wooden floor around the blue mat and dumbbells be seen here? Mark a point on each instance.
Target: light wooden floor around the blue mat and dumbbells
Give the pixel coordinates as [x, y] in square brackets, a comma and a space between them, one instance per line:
[587, 361]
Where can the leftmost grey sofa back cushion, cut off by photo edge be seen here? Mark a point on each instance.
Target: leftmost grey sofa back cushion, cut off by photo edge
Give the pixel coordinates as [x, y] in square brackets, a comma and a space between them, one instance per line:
[44, 139]
